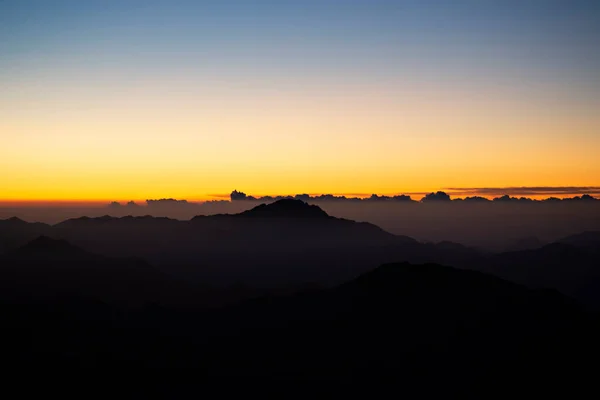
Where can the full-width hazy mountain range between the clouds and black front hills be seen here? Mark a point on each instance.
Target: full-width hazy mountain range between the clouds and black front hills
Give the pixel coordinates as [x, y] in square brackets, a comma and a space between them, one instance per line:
[289, 242]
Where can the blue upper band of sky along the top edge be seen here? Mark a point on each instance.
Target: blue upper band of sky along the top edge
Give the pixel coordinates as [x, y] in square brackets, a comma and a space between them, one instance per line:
[535, 38]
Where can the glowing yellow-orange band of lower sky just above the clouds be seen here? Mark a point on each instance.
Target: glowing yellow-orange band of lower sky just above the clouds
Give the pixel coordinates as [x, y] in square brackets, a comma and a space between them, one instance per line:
[341, 140]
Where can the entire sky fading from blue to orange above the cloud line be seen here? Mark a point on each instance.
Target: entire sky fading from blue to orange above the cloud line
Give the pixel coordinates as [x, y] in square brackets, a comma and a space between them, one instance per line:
[121, 100]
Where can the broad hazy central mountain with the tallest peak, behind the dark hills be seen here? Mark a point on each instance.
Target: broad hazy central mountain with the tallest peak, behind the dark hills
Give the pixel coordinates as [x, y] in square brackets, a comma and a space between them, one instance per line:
[249, 247]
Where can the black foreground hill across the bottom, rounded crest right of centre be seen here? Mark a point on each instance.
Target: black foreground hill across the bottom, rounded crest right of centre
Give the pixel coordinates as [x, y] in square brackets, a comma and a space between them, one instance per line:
[451, 329]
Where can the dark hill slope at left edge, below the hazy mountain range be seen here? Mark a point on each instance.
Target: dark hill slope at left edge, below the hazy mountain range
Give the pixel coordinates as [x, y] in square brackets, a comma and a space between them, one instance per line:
[46, 268]
